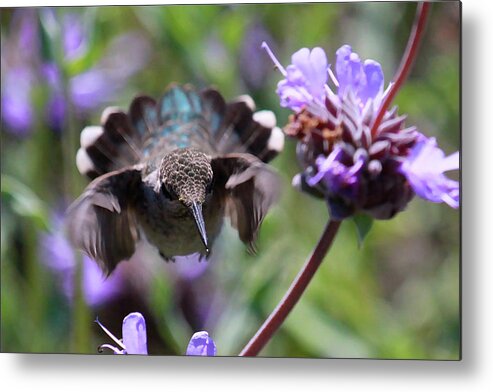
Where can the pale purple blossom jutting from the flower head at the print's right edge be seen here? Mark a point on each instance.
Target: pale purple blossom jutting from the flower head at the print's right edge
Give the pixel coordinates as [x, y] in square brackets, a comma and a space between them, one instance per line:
[424, 168]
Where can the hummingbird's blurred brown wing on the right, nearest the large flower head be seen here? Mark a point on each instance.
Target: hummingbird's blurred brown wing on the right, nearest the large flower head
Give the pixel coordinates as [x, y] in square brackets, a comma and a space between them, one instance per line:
[250, 188]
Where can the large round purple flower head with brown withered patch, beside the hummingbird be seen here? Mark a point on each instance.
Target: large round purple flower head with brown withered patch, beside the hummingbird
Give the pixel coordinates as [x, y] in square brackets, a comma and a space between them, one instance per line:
[354, 169]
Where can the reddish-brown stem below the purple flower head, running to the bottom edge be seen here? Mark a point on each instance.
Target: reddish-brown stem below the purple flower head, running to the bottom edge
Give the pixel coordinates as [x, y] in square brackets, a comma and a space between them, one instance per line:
[294, 293]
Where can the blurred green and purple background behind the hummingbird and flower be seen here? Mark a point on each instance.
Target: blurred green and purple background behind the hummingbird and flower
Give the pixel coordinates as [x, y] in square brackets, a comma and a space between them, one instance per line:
[395, 296]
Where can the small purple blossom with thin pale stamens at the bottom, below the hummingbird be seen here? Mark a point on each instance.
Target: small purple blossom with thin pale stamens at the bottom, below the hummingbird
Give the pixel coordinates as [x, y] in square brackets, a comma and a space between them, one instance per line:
[134, 336]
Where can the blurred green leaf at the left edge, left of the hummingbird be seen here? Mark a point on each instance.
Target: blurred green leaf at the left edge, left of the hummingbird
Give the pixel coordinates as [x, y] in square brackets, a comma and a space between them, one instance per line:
[24, 201]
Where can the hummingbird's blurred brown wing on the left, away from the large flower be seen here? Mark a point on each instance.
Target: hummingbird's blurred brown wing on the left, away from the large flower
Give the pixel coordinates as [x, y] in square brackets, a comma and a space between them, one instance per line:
[101, 221]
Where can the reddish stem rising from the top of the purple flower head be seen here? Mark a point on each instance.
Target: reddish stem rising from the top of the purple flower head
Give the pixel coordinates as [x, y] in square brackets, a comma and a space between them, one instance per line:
[406, 62]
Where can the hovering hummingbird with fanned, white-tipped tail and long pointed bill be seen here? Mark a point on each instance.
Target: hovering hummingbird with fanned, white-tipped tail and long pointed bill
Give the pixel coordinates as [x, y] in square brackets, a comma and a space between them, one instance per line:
[170, 171]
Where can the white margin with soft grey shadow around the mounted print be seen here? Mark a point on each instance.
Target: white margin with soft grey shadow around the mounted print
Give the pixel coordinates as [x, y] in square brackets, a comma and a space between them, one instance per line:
[473, 373]
